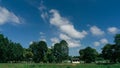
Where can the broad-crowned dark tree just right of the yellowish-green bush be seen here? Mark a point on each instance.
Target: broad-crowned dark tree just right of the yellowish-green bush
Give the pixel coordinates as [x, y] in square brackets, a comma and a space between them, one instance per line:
[39, 50]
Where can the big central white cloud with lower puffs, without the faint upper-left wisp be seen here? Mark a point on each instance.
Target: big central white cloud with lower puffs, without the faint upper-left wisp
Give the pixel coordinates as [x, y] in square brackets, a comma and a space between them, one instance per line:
[68, 31]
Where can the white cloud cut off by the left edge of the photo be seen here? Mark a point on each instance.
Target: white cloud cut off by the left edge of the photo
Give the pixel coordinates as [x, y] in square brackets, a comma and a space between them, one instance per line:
[7, 16]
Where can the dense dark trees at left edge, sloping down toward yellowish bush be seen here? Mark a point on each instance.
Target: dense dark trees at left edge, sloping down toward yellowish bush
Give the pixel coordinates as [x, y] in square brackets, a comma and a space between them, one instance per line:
[10, 51]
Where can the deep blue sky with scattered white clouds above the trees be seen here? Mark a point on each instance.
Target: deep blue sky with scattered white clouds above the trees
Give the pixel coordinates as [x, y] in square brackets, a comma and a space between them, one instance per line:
[81, 23]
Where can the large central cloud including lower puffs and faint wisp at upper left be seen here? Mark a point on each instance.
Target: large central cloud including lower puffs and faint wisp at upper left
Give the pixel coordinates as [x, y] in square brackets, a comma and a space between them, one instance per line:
[65, 26]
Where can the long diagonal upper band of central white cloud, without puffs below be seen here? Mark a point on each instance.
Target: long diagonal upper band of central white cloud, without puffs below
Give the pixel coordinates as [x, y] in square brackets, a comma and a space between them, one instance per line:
[65, 25]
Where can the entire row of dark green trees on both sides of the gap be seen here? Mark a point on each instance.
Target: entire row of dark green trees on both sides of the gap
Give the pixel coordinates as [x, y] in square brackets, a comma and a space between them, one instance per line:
[38, 52]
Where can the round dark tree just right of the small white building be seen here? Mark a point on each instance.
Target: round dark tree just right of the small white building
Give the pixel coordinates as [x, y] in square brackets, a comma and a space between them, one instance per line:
[88, 54]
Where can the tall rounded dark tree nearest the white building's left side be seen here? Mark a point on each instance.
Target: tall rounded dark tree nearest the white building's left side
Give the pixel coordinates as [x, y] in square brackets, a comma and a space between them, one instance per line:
[60, 51]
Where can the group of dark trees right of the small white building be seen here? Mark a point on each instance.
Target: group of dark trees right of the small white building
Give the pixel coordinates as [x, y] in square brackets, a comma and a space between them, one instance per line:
[110, 53]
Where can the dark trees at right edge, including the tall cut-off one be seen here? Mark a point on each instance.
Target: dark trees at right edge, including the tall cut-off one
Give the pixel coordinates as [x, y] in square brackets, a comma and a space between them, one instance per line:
[112, 51]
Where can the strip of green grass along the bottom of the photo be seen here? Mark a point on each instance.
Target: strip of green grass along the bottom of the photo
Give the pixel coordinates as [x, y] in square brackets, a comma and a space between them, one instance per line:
[18, 65]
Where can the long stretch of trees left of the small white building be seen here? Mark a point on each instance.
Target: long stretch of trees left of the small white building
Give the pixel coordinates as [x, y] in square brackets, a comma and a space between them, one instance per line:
[37, 52]
